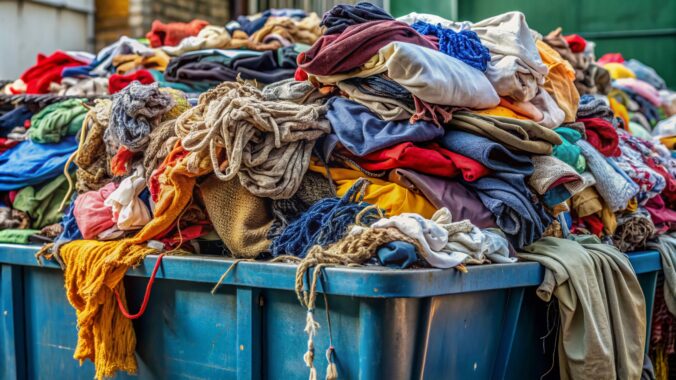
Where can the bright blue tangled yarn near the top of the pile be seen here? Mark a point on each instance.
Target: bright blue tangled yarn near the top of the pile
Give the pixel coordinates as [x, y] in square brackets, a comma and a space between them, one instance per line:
[464, 45]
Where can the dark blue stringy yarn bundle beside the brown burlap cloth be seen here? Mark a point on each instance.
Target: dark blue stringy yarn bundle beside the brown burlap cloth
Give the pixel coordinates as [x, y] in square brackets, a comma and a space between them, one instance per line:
[324, 223]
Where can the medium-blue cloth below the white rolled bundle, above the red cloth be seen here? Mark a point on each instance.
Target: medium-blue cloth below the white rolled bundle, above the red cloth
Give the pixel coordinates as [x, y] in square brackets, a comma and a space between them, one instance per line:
[361, 132]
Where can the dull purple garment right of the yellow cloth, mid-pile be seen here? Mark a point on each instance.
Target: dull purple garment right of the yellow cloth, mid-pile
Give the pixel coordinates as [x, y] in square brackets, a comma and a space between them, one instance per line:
[441, 192]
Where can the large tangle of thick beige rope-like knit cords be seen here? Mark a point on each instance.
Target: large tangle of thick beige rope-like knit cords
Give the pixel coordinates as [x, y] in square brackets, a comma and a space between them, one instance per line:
[267, 143]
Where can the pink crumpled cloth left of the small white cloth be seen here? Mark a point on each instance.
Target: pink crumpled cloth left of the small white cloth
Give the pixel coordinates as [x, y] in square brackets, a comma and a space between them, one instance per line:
[91, 215]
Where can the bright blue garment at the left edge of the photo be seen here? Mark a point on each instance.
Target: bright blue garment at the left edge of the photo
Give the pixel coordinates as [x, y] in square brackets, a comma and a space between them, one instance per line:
[30, 163]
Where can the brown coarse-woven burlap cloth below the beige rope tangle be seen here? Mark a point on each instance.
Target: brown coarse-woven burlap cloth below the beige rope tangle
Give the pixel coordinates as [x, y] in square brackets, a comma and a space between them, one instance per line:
[241, 219]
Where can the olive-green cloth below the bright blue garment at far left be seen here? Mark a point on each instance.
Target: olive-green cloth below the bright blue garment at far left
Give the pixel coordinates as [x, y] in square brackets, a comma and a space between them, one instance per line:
[42, 203]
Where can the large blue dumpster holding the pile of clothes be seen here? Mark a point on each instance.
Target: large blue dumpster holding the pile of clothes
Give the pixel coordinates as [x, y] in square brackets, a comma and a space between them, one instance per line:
[386, 323]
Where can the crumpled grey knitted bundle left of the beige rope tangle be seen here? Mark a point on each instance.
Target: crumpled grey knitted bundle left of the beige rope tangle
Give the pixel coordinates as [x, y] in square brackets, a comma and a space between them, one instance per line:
[136, 110]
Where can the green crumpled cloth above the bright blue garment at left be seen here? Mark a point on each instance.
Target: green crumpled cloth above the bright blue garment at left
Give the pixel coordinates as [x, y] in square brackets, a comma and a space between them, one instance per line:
[57, 120]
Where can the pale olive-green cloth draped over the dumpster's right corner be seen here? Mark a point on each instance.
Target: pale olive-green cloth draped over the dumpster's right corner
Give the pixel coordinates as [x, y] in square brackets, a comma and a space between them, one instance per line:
[601, 305]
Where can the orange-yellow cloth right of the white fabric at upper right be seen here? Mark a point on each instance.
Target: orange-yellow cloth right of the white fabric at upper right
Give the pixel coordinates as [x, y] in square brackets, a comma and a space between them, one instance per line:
[560, 81]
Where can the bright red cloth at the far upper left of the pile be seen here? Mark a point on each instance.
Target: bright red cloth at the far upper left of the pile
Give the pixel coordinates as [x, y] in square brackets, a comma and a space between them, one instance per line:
[47, 70]
